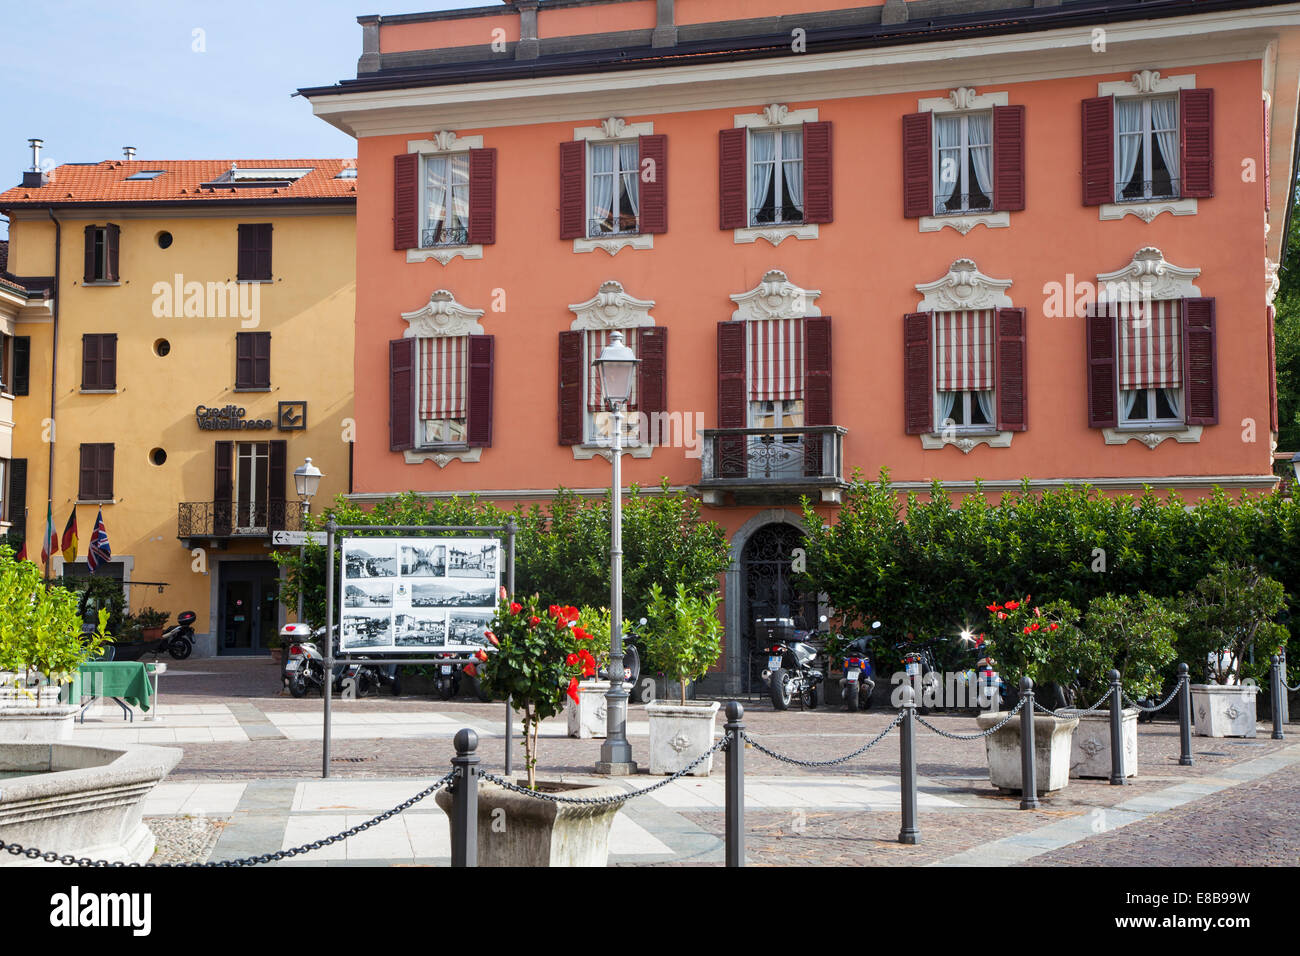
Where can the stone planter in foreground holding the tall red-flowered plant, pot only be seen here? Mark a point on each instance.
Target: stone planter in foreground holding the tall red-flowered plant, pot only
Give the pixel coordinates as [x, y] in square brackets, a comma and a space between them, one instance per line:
[518, 830]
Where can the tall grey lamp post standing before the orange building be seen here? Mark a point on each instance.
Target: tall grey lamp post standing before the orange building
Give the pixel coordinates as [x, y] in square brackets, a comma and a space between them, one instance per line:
[618, 369]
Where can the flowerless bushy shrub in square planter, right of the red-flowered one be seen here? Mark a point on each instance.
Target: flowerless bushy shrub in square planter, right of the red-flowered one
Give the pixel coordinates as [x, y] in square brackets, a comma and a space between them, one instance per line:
[1136, 637]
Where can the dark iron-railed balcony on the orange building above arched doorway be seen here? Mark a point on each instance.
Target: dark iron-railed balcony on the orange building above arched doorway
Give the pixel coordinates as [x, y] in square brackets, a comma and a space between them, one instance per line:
[769, 466]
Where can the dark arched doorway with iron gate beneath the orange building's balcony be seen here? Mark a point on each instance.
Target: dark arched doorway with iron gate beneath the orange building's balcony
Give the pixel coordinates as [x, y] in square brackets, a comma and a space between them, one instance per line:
[768, 589]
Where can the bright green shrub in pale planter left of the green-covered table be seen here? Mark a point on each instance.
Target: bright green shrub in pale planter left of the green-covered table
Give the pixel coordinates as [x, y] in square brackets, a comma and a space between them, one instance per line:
[41, 648]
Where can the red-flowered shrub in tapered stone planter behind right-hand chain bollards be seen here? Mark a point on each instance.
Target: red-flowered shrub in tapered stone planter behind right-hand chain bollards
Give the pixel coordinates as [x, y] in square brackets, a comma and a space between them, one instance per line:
[1038, 643]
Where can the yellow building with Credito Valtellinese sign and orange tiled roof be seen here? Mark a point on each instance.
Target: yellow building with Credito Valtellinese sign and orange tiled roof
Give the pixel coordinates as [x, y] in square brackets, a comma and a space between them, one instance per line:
[181, 341]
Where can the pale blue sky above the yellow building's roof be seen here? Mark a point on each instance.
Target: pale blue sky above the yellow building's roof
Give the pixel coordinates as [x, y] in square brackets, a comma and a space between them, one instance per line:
[90, 77]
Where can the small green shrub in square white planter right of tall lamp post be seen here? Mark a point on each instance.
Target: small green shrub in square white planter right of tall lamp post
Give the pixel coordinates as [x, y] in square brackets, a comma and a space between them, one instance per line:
[683, 639]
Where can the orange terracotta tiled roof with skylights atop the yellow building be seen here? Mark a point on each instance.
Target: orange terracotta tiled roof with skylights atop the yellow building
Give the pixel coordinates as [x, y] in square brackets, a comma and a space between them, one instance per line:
[184, 181]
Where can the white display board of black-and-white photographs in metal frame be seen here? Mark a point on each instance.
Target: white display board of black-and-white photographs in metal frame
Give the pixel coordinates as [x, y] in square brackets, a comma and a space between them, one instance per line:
[418, 594]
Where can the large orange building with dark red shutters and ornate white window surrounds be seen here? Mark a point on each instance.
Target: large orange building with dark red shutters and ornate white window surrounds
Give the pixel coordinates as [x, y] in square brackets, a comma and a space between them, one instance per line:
[956, 240]
